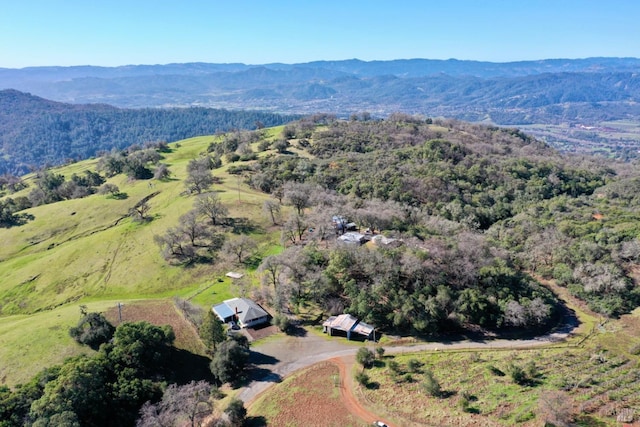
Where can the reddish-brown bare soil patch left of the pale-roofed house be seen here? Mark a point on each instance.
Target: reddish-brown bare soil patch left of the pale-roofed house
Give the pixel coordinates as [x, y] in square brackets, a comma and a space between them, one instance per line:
[160, 312]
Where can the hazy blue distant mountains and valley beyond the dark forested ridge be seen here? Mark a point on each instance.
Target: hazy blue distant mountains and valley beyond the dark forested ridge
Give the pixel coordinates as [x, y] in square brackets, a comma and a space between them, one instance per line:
[546, 91]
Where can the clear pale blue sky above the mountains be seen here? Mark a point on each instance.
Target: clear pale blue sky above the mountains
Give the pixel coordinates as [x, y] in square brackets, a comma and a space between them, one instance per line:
[121, 32]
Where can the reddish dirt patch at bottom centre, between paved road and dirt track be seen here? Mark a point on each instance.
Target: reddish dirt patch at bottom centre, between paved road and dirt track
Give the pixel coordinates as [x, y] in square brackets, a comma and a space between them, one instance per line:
[311, 398]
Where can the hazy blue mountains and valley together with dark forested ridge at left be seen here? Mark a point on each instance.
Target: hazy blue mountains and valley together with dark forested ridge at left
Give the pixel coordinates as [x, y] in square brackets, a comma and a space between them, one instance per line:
[574, 99]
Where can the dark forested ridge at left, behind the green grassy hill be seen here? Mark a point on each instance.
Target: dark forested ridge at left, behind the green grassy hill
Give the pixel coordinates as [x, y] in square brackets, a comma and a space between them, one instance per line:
[35, 132]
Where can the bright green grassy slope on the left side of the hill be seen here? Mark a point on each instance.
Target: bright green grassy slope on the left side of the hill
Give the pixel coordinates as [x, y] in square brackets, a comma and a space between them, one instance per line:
[88, 251]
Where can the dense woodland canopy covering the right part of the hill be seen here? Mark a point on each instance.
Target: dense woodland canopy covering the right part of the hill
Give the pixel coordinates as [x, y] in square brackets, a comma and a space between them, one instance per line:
[449, 190]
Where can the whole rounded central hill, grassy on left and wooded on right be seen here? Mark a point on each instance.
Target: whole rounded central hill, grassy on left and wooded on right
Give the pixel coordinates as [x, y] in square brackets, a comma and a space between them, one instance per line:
[478, 205]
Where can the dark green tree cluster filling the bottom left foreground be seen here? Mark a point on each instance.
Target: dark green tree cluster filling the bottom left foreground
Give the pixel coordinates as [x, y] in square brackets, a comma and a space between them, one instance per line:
[132, 378]
